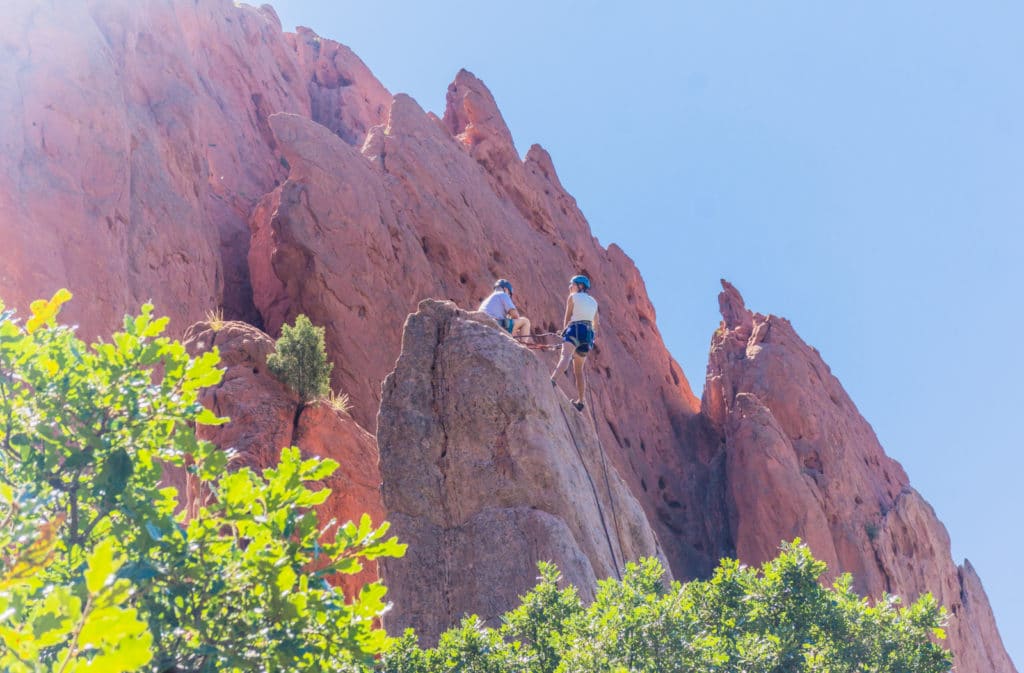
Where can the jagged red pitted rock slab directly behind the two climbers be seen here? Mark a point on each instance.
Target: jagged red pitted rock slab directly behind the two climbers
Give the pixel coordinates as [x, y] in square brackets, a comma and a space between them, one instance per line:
[356, 238]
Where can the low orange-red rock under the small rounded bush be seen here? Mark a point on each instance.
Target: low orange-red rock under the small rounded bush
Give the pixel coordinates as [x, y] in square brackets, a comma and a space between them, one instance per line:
[267, 416]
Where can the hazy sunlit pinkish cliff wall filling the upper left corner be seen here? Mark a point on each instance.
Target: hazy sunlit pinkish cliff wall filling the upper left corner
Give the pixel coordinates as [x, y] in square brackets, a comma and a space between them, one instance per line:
[135, 153]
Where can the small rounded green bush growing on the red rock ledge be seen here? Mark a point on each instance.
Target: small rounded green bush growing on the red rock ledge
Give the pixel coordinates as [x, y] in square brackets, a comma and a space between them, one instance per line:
[300, 360]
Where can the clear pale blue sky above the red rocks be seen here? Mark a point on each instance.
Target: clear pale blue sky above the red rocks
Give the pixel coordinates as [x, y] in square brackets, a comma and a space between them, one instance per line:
[856, 167]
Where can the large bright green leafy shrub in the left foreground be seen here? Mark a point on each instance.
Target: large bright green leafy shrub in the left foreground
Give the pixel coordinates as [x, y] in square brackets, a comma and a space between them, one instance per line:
[100, 573]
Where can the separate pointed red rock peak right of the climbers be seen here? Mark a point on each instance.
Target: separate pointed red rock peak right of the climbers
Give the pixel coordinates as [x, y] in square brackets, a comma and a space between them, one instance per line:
[802, 461]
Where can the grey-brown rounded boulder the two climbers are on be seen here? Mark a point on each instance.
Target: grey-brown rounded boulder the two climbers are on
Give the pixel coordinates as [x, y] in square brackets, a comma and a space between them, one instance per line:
[487, 471]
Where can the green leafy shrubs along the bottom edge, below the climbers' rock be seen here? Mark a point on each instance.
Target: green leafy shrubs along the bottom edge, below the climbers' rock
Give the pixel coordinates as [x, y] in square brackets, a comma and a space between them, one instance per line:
[777, 620]
